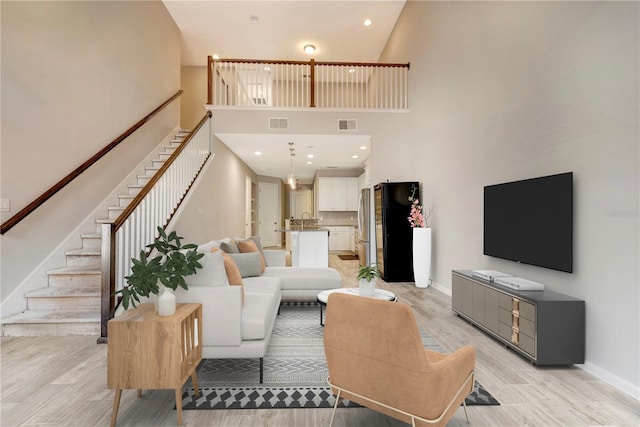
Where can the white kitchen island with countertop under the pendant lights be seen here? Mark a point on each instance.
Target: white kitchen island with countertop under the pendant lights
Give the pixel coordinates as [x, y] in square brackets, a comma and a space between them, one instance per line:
[309, 247]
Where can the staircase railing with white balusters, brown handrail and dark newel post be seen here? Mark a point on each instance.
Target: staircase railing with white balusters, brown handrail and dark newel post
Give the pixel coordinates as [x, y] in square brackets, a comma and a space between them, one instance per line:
[154, 206]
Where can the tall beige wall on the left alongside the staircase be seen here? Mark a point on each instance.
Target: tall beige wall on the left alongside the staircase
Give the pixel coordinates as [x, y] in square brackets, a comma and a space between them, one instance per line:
[75, 75]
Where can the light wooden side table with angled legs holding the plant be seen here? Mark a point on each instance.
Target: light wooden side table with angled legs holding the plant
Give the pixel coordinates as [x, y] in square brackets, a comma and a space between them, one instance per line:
[148, 351]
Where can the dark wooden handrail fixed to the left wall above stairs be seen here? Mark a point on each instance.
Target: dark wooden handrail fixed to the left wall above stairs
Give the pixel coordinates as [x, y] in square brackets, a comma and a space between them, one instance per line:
[27, 210]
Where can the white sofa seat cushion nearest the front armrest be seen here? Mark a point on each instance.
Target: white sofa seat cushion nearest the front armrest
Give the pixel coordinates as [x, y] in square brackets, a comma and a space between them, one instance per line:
[257, 313]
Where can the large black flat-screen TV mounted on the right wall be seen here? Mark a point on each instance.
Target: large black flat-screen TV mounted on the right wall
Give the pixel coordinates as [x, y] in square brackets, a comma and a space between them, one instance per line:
[531, 221]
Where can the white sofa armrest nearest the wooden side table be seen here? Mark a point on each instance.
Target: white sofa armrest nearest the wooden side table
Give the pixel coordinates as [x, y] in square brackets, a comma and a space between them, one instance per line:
[221, 312]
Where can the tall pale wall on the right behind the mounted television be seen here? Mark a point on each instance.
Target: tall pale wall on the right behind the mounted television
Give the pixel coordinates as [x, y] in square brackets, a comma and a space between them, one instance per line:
[501, 91]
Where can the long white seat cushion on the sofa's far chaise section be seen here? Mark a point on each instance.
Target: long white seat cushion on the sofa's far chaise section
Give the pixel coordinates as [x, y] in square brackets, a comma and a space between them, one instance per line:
[302, 278]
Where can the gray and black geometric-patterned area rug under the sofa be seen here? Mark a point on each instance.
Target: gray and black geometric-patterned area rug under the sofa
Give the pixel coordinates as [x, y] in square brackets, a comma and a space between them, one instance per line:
[295, 370]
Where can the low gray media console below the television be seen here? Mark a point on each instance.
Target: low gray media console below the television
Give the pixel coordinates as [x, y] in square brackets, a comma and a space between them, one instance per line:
[545, 327]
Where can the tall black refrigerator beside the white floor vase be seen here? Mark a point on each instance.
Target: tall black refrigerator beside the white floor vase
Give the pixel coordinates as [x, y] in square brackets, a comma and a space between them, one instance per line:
[394, 236]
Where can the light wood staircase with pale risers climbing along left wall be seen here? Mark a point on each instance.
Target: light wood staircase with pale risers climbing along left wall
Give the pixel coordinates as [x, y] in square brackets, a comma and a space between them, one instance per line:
[70, 303]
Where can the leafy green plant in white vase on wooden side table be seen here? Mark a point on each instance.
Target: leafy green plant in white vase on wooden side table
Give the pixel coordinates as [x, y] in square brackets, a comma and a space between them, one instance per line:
[174, 262]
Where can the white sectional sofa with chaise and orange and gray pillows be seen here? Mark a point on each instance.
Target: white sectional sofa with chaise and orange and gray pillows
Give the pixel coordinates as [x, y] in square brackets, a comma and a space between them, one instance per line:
[238, 320]
